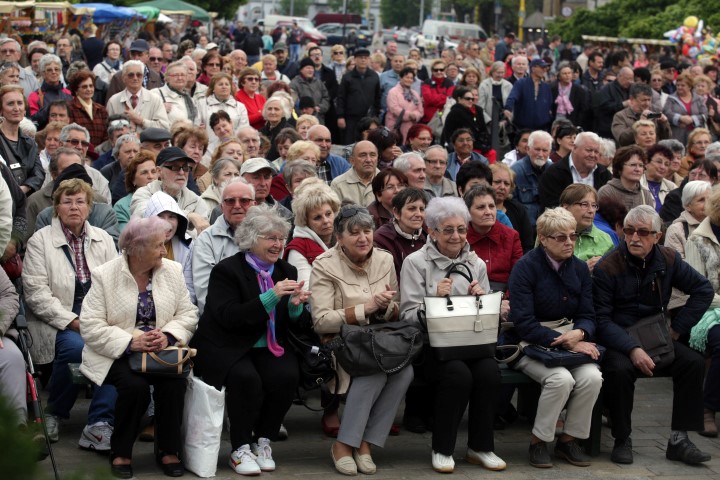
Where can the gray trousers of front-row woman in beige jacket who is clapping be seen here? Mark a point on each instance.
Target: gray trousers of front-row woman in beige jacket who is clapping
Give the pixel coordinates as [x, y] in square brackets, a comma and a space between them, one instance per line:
[371, 405]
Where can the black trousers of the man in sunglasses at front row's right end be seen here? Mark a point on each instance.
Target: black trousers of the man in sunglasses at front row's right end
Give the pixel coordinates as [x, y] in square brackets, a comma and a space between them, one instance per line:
[687, 372]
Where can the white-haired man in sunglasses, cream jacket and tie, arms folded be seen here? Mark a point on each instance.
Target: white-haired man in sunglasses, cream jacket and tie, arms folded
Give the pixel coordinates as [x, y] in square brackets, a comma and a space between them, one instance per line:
[142, 107]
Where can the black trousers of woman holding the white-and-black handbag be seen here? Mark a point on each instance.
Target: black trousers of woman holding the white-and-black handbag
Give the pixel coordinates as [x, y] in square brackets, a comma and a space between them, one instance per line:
[457, 383]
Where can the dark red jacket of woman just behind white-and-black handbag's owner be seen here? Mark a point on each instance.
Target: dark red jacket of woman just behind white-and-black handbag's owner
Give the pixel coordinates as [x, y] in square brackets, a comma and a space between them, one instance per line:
[500, 249]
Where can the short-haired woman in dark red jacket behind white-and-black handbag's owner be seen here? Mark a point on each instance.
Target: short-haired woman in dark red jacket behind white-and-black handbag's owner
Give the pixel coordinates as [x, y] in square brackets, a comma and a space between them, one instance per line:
[494, 243]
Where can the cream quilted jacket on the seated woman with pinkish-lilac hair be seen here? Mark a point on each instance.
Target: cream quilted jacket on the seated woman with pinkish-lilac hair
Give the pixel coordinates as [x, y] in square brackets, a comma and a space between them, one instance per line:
[110, 309]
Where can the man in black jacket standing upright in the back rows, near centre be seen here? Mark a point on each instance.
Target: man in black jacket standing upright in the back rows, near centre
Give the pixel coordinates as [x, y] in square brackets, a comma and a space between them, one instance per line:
[358, 95]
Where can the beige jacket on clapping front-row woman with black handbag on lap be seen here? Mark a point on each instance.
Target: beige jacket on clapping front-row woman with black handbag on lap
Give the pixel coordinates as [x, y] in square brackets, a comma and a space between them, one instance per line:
[340, 290]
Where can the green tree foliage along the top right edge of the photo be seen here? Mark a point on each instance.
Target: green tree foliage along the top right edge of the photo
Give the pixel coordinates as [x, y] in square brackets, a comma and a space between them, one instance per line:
[636, 19]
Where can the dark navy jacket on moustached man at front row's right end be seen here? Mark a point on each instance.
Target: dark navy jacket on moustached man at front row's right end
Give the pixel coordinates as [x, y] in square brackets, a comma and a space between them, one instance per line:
[623, 293]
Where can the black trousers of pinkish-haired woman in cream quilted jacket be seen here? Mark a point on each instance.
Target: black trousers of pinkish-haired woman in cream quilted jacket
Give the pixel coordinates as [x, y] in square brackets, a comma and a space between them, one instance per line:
[133, 399]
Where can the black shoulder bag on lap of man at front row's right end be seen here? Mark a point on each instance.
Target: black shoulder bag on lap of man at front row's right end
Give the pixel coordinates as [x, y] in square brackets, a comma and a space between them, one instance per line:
[653, 335]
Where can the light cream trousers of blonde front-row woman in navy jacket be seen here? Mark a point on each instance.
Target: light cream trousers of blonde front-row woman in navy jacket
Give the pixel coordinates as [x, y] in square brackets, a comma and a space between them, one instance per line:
[577, 386]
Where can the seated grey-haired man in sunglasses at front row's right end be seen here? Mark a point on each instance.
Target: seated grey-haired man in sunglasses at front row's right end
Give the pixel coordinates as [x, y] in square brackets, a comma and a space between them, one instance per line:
[634, 281]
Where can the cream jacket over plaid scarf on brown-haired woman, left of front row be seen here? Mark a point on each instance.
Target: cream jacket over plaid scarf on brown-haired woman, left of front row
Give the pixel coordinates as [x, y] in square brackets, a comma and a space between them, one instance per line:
[49, 282]
